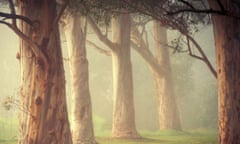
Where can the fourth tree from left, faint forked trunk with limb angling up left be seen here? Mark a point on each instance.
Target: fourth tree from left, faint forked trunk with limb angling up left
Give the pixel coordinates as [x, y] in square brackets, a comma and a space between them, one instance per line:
[160, 66]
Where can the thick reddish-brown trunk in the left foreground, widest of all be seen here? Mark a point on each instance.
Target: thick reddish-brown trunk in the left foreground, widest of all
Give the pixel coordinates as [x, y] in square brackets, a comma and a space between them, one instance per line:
[43, 115]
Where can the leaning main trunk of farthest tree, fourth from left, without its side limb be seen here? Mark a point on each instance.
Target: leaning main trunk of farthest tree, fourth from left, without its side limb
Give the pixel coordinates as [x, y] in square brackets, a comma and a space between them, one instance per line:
[167, 102]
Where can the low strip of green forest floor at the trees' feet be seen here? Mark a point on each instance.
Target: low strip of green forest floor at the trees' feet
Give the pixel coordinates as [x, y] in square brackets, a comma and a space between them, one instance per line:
[158, 137]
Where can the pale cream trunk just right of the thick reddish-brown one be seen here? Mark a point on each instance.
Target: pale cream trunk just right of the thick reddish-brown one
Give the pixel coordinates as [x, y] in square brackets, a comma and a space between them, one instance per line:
[82, 125]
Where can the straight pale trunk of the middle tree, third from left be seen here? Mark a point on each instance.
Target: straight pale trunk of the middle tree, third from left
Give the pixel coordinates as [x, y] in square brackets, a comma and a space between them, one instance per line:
[123, 111]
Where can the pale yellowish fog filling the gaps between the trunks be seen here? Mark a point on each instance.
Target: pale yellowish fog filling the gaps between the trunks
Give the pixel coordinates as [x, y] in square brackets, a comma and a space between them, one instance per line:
[195, 86]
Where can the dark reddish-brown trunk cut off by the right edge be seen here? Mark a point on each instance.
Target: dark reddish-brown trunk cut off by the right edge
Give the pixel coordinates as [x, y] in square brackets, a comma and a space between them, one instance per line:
[227, 43]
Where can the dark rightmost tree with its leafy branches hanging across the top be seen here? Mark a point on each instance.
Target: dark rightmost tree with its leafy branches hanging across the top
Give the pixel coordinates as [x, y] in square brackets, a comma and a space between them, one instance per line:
[226, 29]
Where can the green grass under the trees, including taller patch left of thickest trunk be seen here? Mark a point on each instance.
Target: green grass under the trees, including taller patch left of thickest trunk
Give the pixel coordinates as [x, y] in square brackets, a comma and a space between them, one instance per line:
[8, 135]
